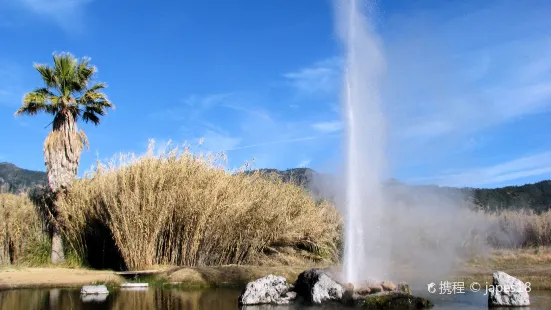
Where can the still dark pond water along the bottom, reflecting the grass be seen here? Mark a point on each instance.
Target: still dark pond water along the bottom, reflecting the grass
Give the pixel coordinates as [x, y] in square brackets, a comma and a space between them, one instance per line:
[219, 299]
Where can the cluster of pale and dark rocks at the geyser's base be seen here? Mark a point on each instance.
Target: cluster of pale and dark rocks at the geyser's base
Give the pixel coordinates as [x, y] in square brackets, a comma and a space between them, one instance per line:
[315, 286]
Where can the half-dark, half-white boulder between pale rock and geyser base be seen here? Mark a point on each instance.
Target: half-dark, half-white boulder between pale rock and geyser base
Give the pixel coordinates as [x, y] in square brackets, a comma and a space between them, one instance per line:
[315, 286]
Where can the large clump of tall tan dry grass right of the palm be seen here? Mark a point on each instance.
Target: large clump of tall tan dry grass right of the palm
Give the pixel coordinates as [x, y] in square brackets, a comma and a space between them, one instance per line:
[178, 208]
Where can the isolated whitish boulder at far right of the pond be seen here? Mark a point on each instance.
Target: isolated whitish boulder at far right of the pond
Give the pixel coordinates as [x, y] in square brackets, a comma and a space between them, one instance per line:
[507, 291]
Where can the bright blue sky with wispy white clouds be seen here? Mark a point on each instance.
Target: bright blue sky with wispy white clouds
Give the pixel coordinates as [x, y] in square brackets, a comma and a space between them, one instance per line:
[466, 93]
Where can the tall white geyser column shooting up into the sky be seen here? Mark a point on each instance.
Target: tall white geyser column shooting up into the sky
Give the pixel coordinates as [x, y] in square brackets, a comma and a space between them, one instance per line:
[366, 250]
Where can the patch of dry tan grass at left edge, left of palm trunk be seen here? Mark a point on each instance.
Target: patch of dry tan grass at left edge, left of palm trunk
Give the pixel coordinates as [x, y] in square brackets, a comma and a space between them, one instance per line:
[21, 230]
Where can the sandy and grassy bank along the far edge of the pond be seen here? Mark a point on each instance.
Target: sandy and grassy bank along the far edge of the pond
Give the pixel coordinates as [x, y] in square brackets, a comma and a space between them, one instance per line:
[529, 265]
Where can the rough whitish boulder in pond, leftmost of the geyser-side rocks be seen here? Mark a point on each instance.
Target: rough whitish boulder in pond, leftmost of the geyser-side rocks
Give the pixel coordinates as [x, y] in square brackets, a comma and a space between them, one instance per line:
[267, 290]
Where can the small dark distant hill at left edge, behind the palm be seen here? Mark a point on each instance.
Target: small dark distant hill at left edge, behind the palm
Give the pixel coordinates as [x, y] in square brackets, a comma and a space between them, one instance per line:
[16, 180]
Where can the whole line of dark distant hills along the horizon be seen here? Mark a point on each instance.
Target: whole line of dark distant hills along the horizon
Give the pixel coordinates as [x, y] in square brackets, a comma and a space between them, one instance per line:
[536, 197]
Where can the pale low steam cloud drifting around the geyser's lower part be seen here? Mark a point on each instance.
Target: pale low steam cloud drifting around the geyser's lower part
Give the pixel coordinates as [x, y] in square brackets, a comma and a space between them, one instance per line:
[428, 233]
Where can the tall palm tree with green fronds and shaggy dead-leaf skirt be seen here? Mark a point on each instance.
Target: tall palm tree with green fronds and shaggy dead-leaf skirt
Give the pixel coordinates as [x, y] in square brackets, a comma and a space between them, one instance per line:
[69, 95]
